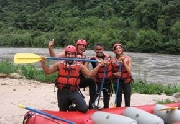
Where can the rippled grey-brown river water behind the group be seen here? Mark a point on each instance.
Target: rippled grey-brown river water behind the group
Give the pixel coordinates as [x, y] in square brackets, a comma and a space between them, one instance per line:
[158, 68]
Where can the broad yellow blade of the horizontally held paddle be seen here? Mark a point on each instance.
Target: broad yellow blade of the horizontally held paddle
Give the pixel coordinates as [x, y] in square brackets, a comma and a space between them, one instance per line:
[26, 58]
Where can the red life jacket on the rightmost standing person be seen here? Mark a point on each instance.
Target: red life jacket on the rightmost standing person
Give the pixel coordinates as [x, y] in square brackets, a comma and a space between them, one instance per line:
[125, 75]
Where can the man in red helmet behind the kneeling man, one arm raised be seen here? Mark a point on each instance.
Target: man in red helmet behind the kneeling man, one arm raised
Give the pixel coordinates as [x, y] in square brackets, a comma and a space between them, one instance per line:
[81, 45]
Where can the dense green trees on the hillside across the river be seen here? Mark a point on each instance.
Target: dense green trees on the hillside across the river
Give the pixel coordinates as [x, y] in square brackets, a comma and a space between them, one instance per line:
[140, 25]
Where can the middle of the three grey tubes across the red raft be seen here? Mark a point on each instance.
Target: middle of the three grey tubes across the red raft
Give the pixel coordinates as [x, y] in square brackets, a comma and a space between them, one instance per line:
[141, 116]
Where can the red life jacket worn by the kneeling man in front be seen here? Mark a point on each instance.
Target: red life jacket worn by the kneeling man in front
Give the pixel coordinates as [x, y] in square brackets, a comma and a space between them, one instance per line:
[68, 76]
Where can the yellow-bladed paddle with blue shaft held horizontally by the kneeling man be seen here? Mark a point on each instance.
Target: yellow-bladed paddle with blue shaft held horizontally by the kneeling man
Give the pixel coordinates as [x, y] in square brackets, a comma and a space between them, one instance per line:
[32, 58]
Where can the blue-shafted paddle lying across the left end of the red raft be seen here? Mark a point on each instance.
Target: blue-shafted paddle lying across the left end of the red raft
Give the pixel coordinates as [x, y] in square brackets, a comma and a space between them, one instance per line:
[46, 114]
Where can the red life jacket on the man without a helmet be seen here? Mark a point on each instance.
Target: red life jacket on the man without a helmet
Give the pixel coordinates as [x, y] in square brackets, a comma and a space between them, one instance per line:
[100, 75]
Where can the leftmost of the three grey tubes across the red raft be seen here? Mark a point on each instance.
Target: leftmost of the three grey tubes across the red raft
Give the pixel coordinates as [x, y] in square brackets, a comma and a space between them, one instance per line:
[109, 118]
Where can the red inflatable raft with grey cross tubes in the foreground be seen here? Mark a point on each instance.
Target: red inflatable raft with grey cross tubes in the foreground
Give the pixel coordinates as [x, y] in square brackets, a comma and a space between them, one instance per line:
[120, 115]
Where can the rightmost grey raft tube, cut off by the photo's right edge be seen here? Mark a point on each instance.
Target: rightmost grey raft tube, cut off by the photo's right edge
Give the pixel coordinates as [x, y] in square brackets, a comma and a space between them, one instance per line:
[169, 116]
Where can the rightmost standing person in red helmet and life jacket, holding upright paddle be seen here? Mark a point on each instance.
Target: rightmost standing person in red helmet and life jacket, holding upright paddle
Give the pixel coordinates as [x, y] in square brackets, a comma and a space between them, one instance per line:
[124, 75]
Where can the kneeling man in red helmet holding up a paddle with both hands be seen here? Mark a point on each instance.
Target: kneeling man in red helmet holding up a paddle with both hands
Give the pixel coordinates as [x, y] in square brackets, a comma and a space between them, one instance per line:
[68, 79]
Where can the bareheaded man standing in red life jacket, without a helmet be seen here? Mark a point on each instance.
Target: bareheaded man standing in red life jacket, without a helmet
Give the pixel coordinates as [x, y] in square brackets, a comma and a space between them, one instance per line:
[106, 82]
